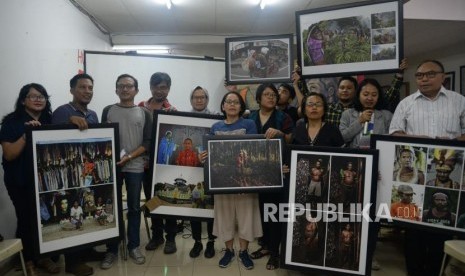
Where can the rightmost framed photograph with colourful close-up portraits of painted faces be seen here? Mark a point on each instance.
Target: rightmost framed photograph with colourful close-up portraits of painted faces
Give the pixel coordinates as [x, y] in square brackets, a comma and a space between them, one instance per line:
[422, 182]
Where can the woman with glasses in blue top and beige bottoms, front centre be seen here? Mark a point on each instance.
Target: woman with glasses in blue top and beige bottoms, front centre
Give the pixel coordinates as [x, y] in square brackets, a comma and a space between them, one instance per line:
[230, 208]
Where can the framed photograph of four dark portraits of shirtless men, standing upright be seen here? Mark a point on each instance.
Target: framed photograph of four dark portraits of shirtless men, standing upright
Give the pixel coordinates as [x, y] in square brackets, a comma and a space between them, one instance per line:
[330, 196]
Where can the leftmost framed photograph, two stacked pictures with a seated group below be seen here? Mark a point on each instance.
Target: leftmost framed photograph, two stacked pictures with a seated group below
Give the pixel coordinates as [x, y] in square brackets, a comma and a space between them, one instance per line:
[76, 197]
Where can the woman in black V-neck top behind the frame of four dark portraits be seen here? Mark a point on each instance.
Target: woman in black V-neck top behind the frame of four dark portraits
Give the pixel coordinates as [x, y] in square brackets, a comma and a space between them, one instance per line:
[312, 129]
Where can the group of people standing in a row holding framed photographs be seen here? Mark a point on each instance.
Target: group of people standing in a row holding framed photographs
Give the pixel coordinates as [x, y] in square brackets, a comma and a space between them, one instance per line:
[359, 112]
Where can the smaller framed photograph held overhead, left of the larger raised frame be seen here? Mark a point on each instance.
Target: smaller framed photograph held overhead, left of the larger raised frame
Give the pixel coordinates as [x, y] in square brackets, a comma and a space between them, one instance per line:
[259, 59]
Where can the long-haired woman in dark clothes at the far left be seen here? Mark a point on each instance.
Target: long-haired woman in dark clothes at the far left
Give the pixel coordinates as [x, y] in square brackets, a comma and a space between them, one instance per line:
[32, 108]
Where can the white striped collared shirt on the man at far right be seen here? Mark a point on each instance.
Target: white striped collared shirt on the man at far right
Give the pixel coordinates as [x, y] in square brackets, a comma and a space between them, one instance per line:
[443, 116]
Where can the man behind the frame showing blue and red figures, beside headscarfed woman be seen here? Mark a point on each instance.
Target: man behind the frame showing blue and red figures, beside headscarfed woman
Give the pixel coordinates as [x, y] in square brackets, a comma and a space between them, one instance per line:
[160, 85]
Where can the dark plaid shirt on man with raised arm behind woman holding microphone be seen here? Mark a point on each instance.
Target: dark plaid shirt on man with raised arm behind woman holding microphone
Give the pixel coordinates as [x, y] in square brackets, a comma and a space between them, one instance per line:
[334, 113]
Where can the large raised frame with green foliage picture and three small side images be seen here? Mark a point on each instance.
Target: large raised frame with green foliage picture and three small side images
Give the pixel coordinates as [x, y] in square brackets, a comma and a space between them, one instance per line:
[356, 38]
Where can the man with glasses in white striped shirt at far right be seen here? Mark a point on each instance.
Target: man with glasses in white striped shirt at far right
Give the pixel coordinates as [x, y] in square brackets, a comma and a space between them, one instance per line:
[432, 111]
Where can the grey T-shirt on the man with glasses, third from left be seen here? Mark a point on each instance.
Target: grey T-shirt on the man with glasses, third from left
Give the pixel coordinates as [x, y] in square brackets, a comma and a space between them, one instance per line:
[135, 130]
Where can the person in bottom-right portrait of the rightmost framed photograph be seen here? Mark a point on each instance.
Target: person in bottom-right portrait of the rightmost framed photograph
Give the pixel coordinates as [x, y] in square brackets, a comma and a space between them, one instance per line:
[439, 213]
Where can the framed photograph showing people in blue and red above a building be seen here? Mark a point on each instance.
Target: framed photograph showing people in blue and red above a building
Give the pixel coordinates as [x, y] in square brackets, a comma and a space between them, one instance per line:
[177, 173]
